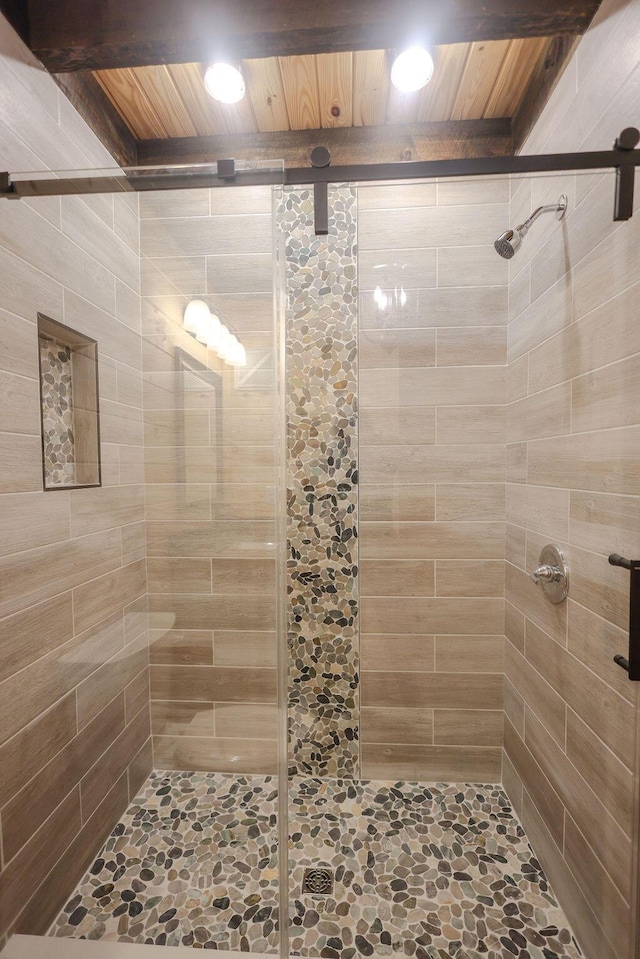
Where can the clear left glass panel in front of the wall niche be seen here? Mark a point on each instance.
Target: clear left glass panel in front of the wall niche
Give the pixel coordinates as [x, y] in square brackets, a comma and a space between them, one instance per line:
[142, 768]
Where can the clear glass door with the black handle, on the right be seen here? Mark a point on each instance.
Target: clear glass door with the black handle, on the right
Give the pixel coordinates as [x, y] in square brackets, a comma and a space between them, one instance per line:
[462, 394]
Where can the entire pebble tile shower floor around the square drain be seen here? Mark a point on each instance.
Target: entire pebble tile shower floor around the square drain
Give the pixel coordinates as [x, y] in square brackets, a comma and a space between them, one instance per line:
[437, 872]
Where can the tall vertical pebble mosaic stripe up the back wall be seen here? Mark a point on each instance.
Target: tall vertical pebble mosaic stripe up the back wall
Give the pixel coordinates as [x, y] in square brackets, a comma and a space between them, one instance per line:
[322, 476]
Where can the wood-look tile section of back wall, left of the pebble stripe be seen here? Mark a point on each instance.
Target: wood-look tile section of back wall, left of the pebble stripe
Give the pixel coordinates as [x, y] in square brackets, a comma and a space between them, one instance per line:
[210, 467]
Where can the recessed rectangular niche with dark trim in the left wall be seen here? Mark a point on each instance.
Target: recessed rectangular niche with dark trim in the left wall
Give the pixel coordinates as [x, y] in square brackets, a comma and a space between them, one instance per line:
[68, 406]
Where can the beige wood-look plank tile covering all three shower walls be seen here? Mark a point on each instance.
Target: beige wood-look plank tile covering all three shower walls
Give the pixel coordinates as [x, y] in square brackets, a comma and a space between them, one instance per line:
[74, 713]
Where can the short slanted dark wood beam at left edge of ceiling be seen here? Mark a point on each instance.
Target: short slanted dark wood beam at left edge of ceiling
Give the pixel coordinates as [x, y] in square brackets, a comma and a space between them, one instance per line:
[95, 107]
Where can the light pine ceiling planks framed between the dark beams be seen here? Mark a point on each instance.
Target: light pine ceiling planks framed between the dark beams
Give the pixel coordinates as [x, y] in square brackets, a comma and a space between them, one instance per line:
[471, 81]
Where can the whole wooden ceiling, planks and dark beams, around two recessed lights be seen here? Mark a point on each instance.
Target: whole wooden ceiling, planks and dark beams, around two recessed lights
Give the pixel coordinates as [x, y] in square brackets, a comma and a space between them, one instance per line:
[316, 73]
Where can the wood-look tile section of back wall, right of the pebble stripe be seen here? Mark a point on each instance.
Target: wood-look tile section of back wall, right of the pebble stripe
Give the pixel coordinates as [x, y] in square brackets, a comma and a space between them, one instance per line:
[432, 470]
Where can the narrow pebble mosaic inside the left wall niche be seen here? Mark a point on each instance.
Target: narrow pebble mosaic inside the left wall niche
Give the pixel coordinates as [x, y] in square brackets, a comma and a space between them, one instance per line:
[57, 413]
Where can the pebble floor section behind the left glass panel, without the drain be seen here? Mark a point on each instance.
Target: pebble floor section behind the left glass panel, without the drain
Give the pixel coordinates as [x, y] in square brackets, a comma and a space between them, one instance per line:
[193, 862]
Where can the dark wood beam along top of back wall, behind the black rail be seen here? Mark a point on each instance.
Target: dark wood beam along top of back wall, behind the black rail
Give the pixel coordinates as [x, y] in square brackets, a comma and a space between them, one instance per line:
[348, 145]
